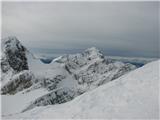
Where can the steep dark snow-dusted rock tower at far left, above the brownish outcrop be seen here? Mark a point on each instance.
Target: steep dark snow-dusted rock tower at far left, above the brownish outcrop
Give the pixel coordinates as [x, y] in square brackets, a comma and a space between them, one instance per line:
[15, 55]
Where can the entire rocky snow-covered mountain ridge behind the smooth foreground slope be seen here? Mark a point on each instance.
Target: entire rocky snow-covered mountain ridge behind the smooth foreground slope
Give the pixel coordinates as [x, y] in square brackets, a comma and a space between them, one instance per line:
[25, 78]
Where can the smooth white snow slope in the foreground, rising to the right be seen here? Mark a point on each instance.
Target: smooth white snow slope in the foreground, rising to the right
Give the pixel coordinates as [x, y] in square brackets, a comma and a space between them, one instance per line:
[134, 95]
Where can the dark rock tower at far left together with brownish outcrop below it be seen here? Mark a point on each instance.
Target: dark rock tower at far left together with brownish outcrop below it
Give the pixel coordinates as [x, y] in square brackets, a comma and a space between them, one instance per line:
[14, 62]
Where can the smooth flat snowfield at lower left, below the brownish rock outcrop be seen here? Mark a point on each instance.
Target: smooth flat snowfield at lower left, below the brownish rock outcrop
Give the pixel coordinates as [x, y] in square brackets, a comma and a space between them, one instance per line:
[13, 104]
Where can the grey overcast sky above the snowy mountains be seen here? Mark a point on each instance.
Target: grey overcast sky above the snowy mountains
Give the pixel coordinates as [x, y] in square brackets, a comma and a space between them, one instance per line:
[117, 28]
